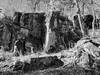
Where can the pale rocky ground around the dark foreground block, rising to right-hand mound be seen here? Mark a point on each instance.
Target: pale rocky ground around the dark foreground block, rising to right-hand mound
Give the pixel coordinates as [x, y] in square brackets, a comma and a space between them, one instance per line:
[75, 62]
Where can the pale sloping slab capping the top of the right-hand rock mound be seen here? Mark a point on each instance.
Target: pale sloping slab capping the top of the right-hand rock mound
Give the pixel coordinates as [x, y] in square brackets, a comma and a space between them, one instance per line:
[88, 46]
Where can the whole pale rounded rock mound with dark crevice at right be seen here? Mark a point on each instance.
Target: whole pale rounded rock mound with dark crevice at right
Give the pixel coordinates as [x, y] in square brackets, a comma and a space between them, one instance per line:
[87, 54]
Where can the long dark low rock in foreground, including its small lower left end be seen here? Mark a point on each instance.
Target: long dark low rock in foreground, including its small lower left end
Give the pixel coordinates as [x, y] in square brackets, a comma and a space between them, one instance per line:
[38, 64]
